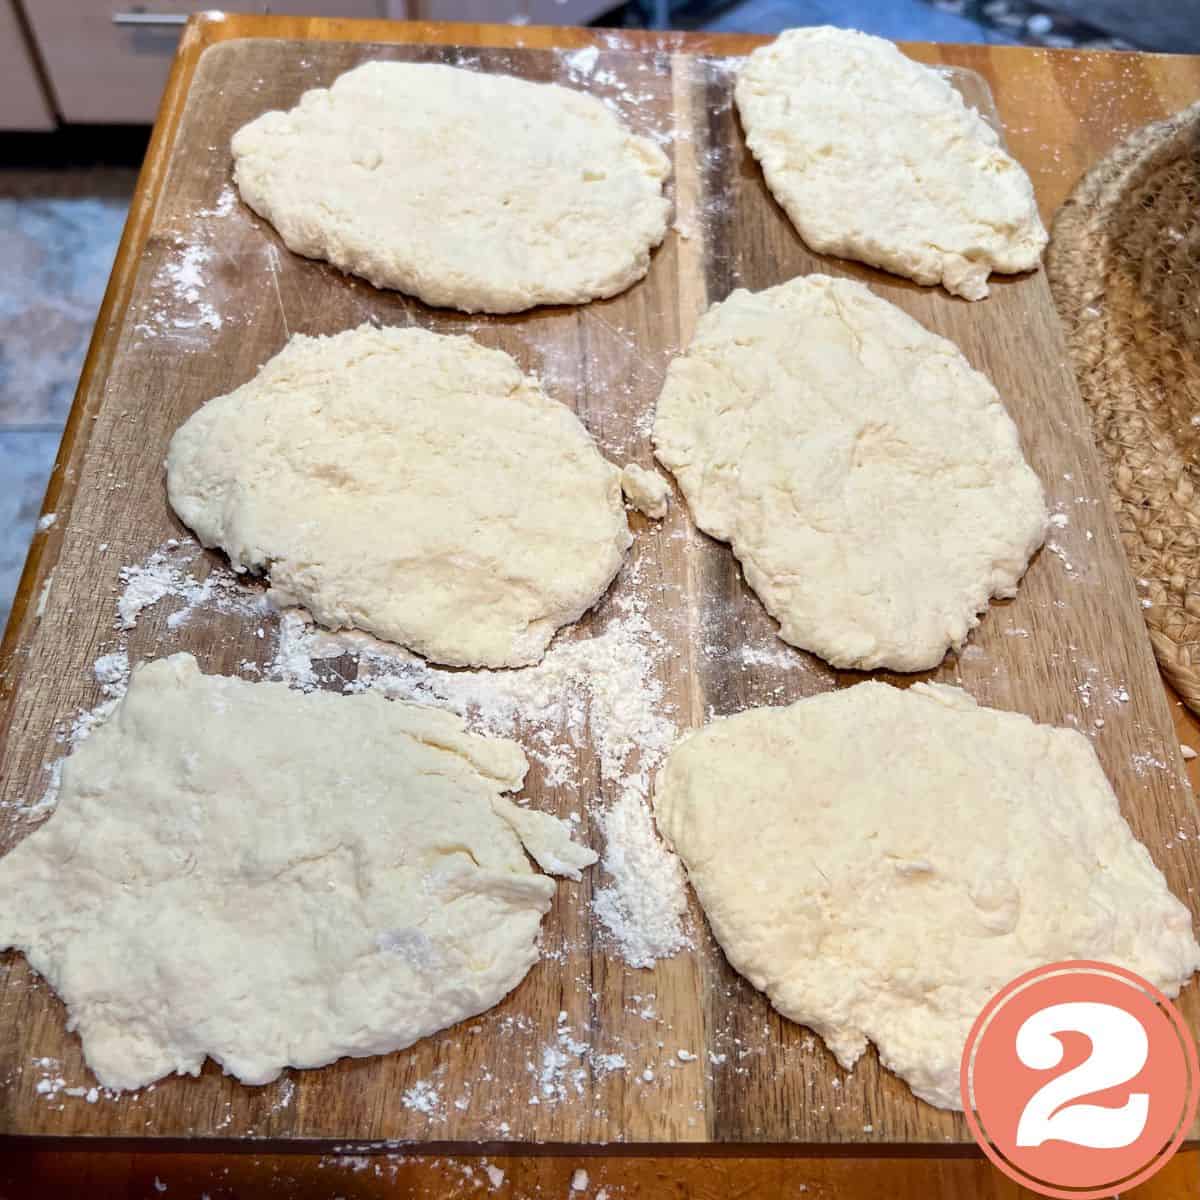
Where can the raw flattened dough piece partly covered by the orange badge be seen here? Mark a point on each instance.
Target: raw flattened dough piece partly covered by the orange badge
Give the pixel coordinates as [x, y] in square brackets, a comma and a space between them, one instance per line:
[881, 862]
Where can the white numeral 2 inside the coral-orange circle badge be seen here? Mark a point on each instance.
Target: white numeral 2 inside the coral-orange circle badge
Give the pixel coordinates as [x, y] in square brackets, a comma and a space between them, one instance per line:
[1119, 1052]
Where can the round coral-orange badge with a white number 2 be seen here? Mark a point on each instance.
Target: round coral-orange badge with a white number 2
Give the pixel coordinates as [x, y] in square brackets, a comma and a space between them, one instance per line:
[1081, 1079]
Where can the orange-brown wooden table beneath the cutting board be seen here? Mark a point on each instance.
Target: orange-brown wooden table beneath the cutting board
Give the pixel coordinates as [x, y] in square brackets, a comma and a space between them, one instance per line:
[1063, 111]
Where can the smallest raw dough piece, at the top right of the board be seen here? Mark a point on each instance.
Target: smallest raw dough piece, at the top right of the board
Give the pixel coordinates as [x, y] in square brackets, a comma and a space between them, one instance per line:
[877, 158]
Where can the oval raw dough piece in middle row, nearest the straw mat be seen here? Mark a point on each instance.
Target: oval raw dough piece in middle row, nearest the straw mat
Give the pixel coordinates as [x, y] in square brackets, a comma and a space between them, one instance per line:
[869, 481]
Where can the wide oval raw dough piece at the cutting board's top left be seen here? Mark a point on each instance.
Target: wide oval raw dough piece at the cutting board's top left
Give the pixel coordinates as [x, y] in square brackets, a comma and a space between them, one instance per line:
[475, 191]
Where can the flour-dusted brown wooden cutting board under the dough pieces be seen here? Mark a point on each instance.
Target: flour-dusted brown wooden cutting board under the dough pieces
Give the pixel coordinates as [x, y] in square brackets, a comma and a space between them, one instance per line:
[1071, 650]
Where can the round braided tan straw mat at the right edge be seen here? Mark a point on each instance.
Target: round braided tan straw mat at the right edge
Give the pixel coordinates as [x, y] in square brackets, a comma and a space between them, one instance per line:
[1125, 269]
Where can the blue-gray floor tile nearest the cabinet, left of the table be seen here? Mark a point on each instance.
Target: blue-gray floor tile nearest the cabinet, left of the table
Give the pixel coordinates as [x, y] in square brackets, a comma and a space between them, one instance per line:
[58, 251]
